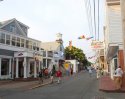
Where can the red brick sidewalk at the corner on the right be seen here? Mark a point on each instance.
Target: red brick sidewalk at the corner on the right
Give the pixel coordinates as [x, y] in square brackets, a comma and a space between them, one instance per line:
[108, 85]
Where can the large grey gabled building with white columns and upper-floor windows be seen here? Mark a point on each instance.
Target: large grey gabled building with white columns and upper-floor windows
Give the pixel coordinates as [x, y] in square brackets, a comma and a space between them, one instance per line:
[20, 56]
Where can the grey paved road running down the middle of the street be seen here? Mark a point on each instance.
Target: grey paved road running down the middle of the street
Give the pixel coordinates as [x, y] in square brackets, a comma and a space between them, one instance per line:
[80, 86]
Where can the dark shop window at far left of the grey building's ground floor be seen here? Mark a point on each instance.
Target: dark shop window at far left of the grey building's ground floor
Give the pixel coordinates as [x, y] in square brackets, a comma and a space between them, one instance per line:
[5, 67]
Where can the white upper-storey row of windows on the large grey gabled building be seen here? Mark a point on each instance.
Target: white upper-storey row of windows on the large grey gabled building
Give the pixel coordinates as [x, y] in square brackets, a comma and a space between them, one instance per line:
[17, 43]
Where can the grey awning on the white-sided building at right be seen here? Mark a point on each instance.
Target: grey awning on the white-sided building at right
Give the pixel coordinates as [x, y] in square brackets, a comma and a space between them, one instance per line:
[112, 52]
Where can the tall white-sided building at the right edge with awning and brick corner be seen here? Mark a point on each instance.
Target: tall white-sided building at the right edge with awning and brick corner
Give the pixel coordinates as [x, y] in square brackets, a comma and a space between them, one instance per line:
[113, 36]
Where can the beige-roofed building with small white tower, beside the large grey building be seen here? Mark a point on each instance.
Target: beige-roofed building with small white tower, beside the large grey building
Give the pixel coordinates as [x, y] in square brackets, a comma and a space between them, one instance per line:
[53, 52]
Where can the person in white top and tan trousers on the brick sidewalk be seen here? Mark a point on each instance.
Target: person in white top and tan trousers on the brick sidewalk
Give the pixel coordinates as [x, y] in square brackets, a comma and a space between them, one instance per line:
[118, 77]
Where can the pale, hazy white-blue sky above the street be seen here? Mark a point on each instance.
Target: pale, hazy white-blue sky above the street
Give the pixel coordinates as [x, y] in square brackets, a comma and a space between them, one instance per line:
[46, 18]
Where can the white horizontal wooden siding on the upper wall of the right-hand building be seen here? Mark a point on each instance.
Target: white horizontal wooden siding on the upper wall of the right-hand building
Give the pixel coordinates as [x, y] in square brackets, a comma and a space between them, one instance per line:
[115, 25]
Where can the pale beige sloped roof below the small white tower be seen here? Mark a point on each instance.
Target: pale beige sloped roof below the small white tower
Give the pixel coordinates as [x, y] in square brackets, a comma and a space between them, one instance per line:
[50, 46]
